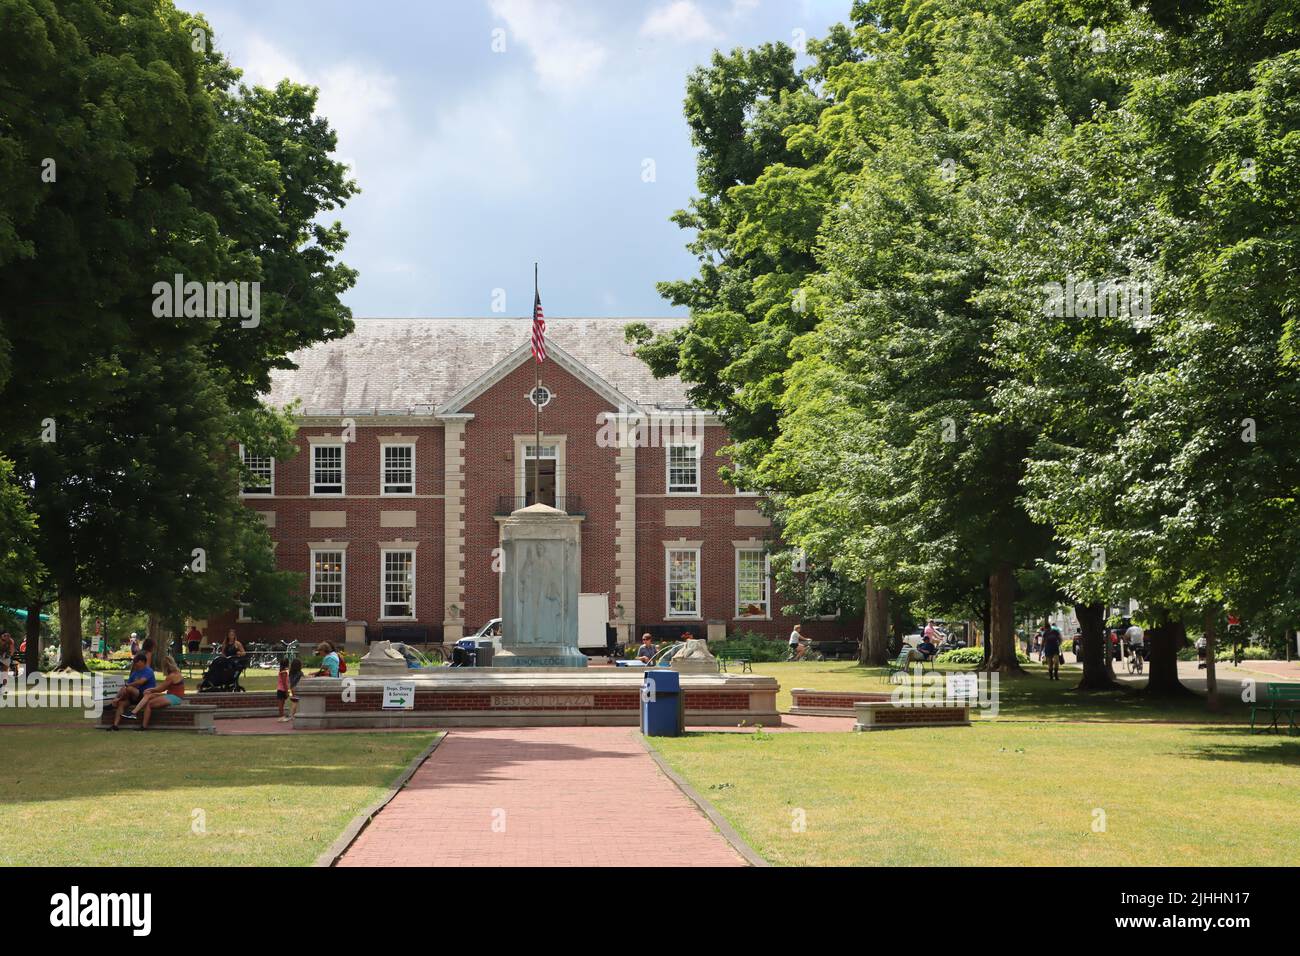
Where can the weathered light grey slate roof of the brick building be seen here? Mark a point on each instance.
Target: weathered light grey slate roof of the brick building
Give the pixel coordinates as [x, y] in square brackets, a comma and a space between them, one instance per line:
[396, 366]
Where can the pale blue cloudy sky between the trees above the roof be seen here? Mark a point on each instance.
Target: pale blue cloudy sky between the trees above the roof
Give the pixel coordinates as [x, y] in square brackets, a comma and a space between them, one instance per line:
[474, 163]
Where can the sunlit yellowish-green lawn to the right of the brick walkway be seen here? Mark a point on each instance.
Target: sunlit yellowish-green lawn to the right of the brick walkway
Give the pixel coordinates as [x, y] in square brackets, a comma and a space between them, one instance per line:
[1004, 793]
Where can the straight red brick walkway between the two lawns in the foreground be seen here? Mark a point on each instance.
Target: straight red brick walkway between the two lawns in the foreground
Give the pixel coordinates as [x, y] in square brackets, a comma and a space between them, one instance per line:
[541, 797]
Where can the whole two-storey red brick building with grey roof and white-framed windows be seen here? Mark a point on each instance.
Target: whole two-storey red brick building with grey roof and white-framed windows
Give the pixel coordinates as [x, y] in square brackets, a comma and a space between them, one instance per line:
[417, 439]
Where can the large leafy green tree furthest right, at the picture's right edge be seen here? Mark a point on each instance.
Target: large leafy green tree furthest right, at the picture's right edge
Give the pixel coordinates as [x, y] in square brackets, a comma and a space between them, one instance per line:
[1167, 455]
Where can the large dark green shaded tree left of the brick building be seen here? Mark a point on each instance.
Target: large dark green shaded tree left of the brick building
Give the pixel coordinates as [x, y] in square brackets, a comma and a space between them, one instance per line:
[127, 413]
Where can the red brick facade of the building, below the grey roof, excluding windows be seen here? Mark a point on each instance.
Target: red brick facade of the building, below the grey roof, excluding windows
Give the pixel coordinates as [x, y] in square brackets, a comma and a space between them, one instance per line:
[458, 559]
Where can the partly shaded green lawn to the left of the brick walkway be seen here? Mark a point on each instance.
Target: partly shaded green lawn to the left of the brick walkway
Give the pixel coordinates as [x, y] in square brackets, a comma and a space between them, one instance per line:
[80, 797]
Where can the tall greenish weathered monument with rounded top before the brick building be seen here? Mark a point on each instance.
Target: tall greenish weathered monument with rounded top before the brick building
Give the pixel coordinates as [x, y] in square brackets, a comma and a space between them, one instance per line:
[539, 591]
